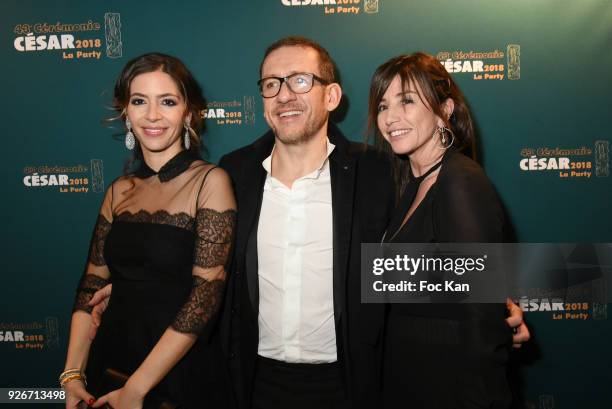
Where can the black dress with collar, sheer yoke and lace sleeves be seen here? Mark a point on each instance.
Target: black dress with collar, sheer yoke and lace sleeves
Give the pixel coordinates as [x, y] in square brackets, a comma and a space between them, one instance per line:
[162, 238]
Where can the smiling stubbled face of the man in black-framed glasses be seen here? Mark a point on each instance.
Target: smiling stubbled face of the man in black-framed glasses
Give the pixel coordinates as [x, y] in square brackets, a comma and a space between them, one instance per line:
[297, 118]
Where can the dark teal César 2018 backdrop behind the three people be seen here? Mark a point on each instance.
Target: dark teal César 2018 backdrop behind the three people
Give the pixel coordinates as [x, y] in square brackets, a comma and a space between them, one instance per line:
[536, 74]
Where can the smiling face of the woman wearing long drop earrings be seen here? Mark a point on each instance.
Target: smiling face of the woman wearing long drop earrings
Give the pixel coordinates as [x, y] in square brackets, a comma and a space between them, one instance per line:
[156, 110]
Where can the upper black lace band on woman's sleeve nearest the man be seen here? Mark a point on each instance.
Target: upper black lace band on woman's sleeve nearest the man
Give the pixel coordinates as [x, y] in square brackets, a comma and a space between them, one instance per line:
[214, 236]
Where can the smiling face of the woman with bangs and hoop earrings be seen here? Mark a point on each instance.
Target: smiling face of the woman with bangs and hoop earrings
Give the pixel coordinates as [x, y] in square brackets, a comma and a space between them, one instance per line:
[405, 121]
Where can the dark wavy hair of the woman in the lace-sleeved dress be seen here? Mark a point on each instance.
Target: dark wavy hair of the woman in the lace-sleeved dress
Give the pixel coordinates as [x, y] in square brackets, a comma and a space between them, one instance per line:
[186, 83]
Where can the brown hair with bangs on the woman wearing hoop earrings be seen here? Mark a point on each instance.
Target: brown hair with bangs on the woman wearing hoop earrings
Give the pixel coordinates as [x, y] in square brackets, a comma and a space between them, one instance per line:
[436, 87]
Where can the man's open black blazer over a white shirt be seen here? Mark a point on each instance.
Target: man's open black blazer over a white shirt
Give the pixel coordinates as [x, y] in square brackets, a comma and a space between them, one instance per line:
[362, 201]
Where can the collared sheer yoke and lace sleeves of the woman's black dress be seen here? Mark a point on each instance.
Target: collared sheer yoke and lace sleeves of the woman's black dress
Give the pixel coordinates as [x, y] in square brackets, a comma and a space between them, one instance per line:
[187, 194]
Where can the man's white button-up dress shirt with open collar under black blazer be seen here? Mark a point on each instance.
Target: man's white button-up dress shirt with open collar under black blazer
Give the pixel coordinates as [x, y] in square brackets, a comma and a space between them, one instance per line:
[295, 256]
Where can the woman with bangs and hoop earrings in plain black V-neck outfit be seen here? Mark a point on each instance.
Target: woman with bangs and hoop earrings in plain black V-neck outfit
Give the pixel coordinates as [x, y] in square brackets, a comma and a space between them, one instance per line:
[443, 356]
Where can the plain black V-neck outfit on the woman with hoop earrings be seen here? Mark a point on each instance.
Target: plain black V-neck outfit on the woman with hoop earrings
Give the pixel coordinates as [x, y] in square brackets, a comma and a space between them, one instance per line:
[448, 355]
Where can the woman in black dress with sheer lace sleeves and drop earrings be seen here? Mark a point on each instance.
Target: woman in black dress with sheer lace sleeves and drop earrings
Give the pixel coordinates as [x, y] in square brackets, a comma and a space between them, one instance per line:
[162, 238]
